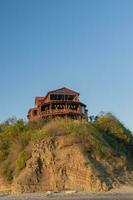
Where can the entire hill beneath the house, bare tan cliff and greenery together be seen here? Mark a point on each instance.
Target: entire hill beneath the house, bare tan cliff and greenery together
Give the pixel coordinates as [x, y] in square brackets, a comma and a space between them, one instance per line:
[65, 155]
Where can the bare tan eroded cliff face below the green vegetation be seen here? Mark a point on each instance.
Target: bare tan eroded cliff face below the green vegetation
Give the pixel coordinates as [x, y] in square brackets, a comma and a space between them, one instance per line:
[60, 163]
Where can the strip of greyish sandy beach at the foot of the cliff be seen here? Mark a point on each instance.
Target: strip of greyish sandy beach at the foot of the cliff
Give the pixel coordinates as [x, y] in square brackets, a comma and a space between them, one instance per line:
[124, 193]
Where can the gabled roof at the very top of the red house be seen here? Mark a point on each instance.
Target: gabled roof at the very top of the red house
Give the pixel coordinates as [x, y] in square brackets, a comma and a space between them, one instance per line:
[63, 90]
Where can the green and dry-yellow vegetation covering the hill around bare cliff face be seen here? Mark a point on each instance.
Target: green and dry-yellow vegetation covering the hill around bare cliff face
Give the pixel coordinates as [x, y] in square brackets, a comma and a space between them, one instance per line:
[105, 138]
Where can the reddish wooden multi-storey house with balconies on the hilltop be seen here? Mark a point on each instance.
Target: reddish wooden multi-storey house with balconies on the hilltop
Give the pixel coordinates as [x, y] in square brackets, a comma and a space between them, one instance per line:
[62, 102]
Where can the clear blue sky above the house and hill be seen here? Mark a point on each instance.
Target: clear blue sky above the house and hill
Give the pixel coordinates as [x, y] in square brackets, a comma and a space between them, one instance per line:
[86, 45]
